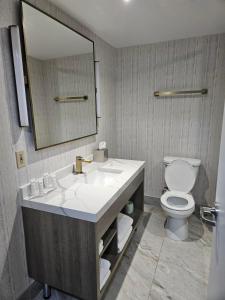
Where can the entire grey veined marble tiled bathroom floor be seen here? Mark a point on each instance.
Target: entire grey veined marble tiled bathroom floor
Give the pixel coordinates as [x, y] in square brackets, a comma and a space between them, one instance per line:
[157, 268]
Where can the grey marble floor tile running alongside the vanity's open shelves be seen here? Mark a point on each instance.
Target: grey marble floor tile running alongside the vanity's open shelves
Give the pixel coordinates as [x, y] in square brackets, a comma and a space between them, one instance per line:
[136, 271]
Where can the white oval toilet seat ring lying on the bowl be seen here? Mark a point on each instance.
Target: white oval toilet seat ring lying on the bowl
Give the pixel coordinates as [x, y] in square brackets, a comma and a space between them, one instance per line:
[177, 201]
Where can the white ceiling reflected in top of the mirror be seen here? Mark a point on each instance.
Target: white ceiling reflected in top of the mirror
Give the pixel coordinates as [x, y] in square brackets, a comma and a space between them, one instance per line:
[58, 40]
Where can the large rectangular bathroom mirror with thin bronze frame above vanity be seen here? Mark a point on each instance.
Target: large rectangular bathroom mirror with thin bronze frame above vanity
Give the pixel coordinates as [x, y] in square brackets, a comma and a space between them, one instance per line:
[61, 77]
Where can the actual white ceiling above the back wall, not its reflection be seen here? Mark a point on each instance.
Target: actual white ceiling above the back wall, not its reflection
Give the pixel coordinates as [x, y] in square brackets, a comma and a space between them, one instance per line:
[139, 22]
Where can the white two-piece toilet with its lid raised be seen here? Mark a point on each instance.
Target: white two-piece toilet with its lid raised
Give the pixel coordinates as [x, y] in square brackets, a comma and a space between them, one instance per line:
[178, 203]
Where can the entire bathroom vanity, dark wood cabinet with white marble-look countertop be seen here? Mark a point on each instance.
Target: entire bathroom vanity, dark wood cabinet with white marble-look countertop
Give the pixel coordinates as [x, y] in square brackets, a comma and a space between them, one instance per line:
[63, 229]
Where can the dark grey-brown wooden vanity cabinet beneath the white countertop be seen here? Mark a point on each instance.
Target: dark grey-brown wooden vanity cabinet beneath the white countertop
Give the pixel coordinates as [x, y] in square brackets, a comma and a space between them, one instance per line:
[63, 252]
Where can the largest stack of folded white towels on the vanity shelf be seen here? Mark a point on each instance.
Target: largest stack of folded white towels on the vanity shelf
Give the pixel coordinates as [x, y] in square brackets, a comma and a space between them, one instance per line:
[124, 229]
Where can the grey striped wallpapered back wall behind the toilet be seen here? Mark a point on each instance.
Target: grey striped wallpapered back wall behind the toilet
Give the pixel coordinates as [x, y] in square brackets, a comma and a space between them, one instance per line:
[149, 128]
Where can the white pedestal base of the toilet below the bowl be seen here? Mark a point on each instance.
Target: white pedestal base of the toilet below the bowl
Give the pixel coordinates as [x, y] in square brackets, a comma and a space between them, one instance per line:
[176, 229]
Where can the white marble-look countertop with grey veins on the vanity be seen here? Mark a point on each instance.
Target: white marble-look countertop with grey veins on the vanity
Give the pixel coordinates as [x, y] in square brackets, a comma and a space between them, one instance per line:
[77, 199]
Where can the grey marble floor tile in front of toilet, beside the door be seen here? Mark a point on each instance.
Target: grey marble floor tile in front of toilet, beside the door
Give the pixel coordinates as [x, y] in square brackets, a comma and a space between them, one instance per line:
[183, 268]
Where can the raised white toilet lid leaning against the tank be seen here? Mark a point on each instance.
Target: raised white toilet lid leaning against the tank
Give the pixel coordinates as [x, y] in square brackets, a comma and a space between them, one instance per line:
[180, 176]
